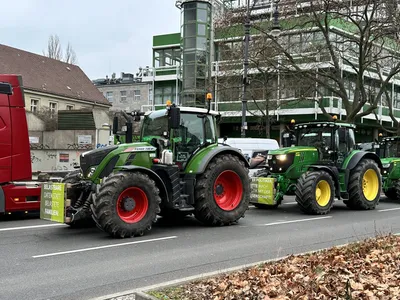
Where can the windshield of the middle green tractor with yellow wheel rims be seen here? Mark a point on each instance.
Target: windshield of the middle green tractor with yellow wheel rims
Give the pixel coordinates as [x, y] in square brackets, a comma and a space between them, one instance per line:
[314, 137]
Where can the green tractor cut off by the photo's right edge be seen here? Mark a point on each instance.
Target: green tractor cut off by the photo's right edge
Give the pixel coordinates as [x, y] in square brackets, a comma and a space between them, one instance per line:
[389, 151]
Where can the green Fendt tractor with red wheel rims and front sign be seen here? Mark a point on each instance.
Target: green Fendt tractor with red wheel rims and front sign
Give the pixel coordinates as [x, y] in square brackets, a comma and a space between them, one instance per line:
[178, 168]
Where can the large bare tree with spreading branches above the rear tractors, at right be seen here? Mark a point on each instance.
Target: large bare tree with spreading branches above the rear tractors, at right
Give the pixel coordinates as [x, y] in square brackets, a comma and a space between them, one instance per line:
[362, 41]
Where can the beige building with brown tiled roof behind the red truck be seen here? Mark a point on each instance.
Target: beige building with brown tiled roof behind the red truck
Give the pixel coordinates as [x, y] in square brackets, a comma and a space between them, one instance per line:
[66, 113]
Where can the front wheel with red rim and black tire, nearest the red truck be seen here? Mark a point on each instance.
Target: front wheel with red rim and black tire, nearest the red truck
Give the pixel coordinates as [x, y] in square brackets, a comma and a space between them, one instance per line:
[127, 204]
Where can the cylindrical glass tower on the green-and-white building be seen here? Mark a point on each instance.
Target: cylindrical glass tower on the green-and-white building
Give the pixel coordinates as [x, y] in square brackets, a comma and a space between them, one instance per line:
[195, 44]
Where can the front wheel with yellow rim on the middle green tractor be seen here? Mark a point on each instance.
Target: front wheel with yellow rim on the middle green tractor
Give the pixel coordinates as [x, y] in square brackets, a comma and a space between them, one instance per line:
[315, 192]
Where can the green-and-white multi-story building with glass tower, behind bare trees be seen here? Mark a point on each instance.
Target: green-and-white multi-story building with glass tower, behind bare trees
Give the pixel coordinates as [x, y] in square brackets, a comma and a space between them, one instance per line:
[189, 63]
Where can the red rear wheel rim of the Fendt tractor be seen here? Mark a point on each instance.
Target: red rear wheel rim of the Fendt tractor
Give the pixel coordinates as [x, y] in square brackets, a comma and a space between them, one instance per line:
[228, 190]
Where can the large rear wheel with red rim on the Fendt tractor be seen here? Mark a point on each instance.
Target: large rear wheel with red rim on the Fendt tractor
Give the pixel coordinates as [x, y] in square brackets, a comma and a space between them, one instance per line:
[222, 192]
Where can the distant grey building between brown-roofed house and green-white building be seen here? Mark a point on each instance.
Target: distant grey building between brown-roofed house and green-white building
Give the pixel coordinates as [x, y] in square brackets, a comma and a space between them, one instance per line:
[126, 93]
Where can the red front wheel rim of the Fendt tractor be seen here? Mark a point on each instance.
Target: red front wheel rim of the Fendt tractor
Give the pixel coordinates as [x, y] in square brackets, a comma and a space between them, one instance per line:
[140, 203]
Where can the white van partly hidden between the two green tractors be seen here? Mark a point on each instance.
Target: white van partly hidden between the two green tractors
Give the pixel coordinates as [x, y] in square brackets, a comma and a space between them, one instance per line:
[250, 147]
